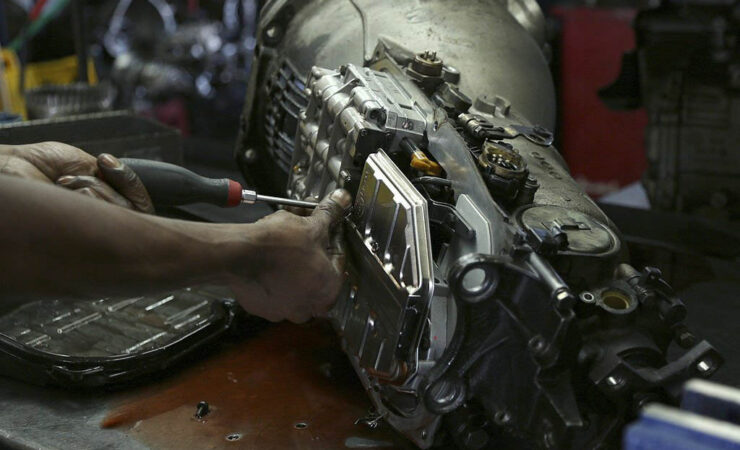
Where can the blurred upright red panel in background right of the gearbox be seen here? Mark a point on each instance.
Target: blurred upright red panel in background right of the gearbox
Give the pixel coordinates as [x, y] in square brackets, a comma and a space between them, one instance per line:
[605, 149]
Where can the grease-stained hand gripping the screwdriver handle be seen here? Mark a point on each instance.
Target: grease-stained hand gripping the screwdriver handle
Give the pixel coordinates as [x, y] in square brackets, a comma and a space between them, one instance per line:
[104, 177]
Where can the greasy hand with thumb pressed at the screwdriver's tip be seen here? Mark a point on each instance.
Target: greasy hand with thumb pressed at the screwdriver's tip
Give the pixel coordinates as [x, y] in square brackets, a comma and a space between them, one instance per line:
[295, 264]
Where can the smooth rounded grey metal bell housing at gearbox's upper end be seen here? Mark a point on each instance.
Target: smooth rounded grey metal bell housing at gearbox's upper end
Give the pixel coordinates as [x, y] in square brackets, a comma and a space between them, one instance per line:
[294, 36]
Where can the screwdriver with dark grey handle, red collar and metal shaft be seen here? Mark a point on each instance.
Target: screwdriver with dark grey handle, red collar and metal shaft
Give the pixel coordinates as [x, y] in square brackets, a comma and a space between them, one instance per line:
[172, 185]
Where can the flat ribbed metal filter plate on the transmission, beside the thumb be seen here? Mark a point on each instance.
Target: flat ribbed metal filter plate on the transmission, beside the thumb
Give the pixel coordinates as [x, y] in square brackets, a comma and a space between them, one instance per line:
[390, 226]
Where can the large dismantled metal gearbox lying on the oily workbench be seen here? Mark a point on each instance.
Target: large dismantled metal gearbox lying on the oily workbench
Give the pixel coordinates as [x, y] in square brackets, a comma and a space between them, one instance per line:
[475, 314]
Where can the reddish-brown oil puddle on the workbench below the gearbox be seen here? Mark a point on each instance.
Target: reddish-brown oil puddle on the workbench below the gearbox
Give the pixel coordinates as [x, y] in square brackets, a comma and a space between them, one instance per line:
[289, 386]
